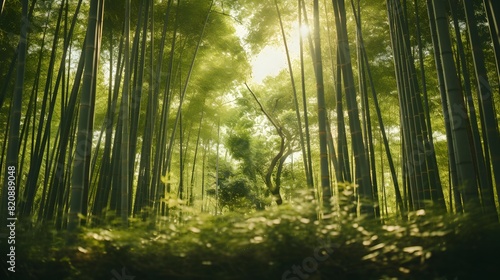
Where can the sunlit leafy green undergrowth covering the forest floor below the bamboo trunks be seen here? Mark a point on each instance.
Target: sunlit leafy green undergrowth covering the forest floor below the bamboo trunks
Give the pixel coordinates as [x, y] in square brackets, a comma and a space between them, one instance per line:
[288, 243]
